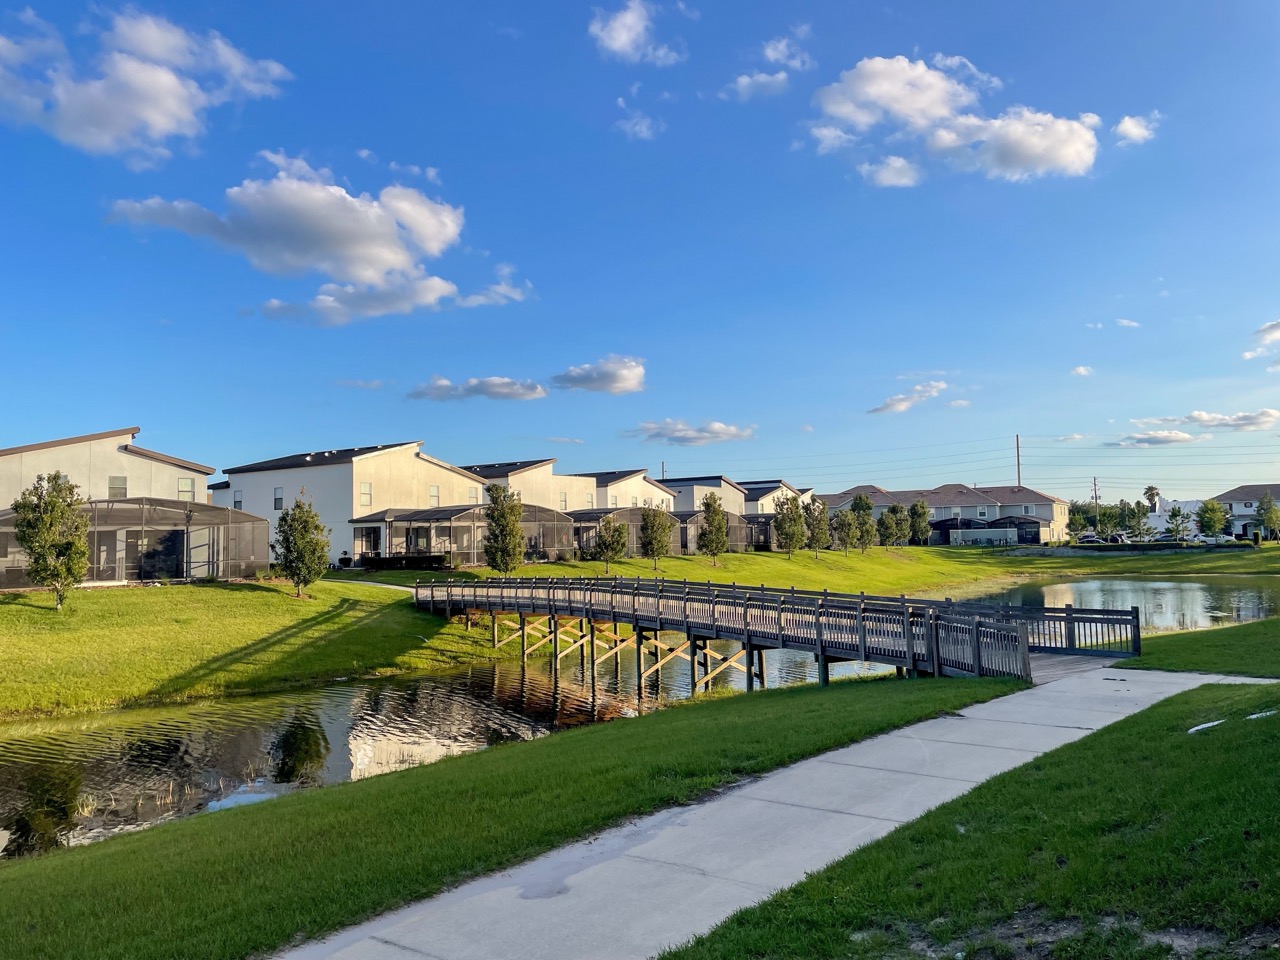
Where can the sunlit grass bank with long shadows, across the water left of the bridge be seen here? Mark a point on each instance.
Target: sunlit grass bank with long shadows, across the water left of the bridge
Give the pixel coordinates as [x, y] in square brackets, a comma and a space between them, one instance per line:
[145, 646]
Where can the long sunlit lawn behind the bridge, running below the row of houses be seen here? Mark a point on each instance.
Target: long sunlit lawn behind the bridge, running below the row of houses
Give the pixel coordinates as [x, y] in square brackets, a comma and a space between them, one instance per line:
[913, 570]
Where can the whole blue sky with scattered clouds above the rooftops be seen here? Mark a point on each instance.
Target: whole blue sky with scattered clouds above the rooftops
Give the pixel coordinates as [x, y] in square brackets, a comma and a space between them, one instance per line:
[835, 243]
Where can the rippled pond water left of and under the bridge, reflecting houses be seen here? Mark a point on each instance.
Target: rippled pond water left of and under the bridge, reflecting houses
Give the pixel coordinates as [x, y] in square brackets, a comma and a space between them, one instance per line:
[79, 780]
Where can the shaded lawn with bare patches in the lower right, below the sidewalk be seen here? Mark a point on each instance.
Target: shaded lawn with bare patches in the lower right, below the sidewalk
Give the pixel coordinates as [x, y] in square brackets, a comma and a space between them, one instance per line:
[1139, 825]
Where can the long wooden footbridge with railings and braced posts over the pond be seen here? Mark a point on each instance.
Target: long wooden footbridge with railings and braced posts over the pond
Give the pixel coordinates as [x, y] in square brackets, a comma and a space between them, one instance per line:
[941, 638]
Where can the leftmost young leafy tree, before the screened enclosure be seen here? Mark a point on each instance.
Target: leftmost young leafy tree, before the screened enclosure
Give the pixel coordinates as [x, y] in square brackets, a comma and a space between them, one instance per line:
[53, 532]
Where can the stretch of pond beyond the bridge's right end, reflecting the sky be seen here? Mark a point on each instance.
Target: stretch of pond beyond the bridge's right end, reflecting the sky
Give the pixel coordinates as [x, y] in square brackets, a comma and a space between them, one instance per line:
[1164, 605]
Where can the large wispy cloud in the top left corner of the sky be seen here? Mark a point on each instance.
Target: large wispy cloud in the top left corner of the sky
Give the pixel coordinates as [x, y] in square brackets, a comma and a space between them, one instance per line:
[152, 85]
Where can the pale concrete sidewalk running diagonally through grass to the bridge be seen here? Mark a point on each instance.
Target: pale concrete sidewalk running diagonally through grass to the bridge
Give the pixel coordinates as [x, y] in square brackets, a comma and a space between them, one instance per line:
[638, 889]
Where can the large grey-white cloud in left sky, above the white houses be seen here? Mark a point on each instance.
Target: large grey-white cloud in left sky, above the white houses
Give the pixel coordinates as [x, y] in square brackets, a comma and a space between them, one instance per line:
[373, 250]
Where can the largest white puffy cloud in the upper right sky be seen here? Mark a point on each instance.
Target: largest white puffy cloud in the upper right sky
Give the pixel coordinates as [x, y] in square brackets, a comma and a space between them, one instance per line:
[939, 107]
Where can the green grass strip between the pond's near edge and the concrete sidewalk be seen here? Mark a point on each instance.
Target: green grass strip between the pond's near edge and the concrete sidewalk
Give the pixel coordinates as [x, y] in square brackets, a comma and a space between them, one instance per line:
[249, 881]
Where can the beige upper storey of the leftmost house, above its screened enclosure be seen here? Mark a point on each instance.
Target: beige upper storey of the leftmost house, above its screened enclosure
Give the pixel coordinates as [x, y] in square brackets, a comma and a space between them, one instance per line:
[106, 467]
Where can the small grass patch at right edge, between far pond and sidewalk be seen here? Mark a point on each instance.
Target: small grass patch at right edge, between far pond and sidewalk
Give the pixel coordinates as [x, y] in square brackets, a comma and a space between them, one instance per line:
[1246, 650]
